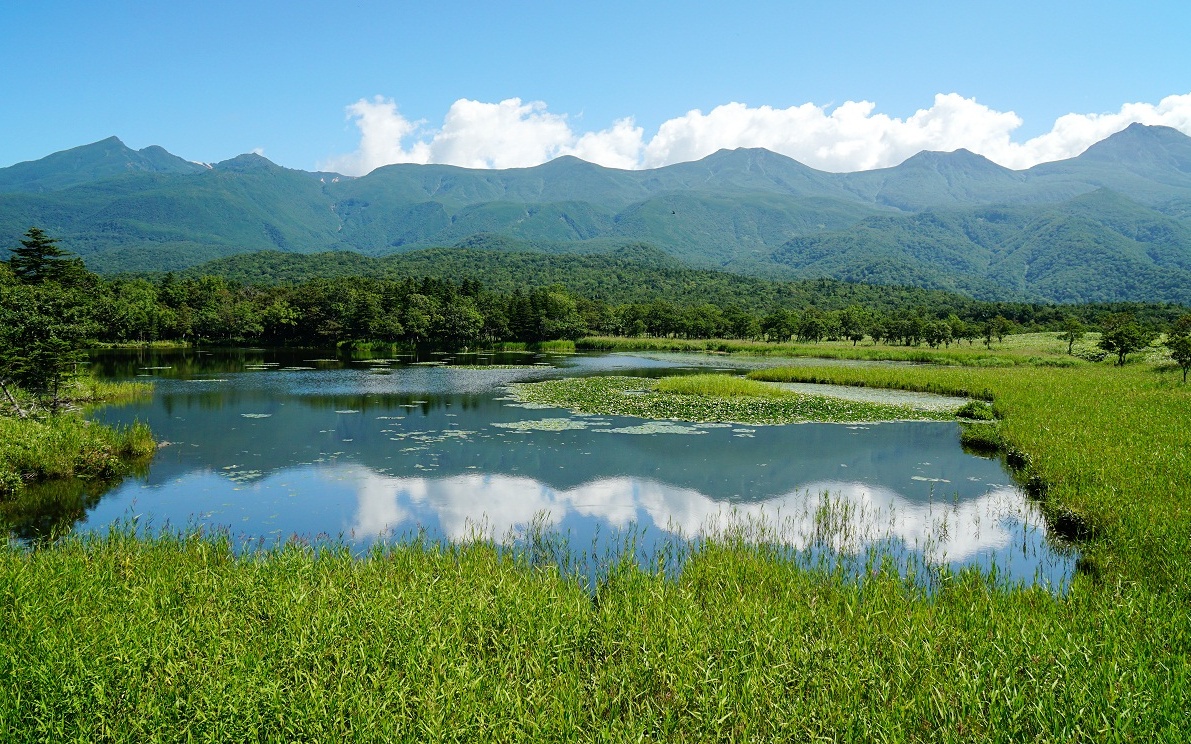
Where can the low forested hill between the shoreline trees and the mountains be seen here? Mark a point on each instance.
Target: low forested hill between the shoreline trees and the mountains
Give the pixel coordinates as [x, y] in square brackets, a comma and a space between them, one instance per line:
[643, 274]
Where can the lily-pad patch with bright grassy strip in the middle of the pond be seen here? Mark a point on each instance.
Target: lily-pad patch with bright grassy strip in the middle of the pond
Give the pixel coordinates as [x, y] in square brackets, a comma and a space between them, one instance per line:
[709, 398]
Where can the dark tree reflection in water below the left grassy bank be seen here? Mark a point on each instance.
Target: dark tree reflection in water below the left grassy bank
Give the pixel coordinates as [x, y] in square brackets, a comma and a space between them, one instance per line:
[46, 511]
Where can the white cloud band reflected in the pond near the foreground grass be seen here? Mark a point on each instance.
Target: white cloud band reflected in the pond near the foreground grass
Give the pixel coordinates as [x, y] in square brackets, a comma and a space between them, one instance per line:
[847, 515]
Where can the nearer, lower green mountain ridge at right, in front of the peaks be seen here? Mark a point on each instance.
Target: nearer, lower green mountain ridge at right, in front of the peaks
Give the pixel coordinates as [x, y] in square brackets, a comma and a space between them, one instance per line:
[1096, 248]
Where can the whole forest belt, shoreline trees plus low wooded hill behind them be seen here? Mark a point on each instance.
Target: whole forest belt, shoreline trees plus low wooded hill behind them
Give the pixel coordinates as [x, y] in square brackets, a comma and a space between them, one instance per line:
[438, 298]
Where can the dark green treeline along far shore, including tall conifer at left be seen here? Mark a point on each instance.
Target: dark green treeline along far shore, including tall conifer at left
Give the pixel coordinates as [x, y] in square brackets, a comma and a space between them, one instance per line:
[466, 311]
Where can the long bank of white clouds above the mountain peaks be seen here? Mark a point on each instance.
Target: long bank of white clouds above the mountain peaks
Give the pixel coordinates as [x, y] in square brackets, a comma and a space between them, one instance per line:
[853, 136]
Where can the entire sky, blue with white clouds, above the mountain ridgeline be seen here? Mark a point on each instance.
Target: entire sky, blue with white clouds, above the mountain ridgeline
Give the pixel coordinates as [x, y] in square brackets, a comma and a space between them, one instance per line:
[211, 80]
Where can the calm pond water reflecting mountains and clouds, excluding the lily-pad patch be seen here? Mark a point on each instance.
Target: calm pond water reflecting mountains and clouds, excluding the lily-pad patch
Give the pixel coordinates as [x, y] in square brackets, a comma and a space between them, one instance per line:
[277, 445]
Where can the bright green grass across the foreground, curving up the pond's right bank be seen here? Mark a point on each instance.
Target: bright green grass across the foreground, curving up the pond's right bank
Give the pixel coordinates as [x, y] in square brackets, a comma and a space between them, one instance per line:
[122, 639]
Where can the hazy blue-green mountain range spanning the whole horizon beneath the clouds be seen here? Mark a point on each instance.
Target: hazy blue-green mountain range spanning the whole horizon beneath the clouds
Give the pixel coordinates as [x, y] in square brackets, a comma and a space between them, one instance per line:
[1112, 224]
